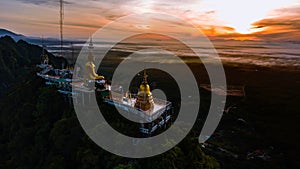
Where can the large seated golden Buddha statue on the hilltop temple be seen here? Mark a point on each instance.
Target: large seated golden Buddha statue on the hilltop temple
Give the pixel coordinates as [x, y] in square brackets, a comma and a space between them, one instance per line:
[90, 73]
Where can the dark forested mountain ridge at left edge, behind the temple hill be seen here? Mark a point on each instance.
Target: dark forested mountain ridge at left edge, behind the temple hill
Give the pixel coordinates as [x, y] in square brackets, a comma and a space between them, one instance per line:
[19, 58]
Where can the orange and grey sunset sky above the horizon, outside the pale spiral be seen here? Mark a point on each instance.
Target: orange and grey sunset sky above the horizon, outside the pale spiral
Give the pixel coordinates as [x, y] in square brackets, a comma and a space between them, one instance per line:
[221, 19]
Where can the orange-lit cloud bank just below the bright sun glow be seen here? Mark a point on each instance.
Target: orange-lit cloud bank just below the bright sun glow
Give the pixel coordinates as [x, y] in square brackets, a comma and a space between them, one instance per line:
[284, 25]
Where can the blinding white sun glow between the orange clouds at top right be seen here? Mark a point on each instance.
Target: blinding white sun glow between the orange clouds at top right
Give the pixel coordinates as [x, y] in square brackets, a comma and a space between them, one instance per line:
[240, 15]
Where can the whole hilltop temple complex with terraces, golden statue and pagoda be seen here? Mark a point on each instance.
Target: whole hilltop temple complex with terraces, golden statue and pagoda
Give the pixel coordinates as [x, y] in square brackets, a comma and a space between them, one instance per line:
[152, 113]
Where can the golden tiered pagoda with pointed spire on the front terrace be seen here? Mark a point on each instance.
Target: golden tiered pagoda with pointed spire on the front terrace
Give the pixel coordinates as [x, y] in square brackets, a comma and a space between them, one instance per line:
[144, 99]
